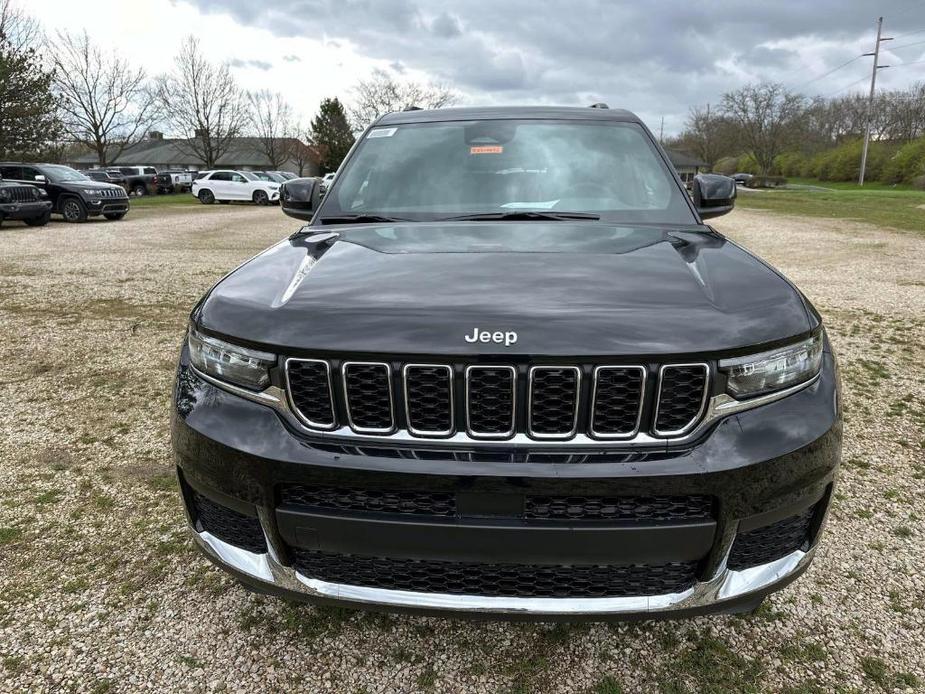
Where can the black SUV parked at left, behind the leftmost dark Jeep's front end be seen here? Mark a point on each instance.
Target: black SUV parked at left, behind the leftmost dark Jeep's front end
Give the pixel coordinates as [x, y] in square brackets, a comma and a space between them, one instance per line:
[72, 195]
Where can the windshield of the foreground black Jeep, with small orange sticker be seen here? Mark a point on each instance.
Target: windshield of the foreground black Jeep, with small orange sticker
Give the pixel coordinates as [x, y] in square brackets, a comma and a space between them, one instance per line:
[431, 171]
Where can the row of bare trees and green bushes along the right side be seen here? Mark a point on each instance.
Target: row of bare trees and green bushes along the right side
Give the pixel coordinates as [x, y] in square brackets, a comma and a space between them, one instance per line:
[767, 129]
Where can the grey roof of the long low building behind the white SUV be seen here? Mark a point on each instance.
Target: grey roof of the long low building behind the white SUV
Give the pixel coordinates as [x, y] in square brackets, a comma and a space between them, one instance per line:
[244, 151]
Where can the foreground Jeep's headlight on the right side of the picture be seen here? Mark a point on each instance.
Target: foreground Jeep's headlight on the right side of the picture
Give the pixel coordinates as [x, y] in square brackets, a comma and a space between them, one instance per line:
[773, 370]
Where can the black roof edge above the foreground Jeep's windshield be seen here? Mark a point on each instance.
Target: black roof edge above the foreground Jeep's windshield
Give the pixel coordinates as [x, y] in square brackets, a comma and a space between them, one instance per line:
[508, 112]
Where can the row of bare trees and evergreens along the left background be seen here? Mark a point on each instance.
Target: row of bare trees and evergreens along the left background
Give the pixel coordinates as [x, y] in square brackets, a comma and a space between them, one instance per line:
[83, 96]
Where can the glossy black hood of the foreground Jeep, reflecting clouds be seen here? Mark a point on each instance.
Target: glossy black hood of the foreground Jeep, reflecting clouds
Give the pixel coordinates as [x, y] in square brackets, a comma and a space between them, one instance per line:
[566, 289]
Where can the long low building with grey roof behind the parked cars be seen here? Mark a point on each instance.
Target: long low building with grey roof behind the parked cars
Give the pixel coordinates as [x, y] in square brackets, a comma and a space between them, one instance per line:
[244, 154]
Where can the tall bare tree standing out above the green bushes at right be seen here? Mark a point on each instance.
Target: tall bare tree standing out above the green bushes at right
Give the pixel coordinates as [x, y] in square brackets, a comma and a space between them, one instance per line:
[767, 119]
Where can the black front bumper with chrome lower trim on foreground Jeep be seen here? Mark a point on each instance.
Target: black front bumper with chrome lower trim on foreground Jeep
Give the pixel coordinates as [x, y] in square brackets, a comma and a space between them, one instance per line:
[761, 467]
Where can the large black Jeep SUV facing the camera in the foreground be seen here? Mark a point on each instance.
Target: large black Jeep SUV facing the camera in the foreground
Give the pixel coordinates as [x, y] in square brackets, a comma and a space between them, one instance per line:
[507, 369]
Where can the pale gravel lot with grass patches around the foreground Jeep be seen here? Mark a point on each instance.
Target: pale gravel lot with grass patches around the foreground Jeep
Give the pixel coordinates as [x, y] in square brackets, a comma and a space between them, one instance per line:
[101, 590]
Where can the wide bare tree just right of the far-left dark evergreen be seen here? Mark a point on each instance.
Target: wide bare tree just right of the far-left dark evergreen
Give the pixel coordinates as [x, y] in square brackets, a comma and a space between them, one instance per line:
[104, 102]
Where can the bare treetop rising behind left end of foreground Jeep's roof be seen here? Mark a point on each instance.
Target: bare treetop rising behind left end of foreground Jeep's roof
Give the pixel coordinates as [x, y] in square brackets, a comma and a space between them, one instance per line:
[380, 94]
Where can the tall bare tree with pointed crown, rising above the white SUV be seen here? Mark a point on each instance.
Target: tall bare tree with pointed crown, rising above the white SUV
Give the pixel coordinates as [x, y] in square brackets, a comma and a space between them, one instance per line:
[202, 102]
